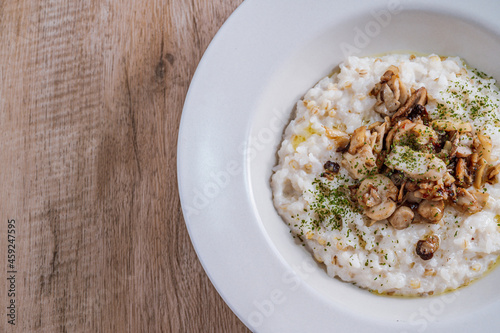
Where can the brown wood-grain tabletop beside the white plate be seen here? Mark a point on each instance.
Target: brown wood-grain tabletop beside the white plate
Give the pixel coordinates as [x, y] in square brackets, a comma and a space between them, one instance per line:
[91, 94]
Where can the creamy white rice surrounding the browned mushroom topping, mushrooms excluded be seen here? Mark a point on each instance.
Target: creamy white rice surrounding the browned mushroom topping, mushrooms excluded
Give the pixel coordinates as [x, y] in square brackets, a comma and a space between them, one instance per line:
[378, 257]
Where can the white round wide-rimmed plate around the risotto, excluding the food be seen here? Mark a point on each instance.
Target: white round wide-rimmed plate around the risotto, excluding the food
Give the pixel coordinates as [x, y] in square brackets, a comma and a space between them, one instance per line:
[259, 64]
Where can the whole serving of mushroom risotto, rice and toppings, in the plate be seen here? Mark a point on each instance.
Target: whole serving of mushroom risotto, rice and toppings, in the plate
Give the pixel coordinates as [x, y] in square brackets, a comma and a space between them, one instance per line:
[388, 173]
